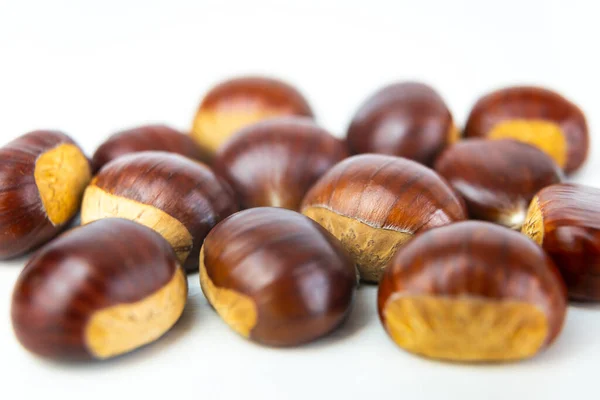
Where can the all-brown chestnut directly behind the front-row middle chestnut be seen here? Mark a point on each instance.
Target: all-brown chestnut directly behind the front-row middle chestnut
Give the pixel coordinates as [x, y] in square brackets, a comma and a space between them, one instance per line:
[275, 162]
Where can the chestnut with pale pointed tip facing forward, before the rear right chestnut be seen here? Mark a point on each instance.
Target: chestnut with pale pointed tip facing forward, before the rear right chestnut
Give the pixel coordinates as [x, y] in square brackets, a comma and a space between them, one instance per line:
[497, 179]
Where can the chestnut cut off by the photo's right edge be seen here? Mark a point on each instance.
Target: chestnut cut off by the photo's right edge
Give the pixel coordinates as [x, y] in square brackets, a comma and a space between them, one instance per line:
[565, 220]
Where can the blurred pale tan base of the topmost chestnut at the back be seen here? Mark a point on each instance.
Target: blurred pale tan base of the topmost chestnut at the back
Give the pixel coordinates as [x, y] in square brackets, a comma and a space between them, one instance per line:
[211, 129]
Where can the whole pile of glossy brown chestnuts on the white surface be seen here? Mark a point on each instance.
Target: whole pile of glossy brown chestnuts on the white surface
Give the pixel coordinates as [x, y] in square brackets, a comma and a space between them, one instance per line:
[475, 240]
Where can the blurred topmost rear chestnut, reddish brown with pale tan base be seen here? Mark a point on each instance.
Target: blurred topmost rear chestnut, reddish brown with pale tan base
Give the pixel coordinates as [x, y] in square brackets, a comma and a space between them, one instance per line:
[238, 102]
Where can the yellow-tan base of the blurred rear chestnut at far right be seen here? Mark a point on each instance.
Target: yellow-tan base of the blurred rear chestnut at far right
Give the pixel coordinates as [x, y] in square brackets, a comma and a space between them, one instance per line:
[545, 135]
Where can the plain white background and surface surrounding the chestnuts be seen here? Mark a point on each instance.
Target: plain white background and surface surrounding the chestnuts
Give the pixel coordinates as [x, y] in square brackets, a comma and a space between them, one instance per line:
[90, 68]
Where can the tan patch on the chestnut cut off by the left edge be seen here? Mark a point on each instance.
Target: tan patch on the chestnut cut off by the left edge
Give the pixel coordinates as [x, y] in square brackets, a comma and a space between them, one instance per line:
[61, 175]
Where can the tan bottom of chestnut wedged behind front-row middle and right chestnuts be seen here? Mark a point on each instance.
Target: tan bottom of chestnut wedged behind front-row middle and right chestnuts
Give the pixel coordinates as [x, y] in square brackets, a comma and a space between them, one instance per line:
[369, 246]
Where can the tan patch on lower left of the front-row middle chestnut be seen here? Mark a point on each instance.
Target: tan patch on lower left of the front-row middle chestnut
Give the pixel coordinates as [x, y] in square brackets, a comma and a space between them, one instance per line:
[236, 309]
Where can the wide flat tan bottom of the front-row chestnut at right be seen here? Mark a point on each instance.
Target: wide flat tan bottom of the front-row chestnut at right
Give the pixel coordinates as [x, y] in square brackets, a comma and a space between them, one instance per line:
[465, 328]
